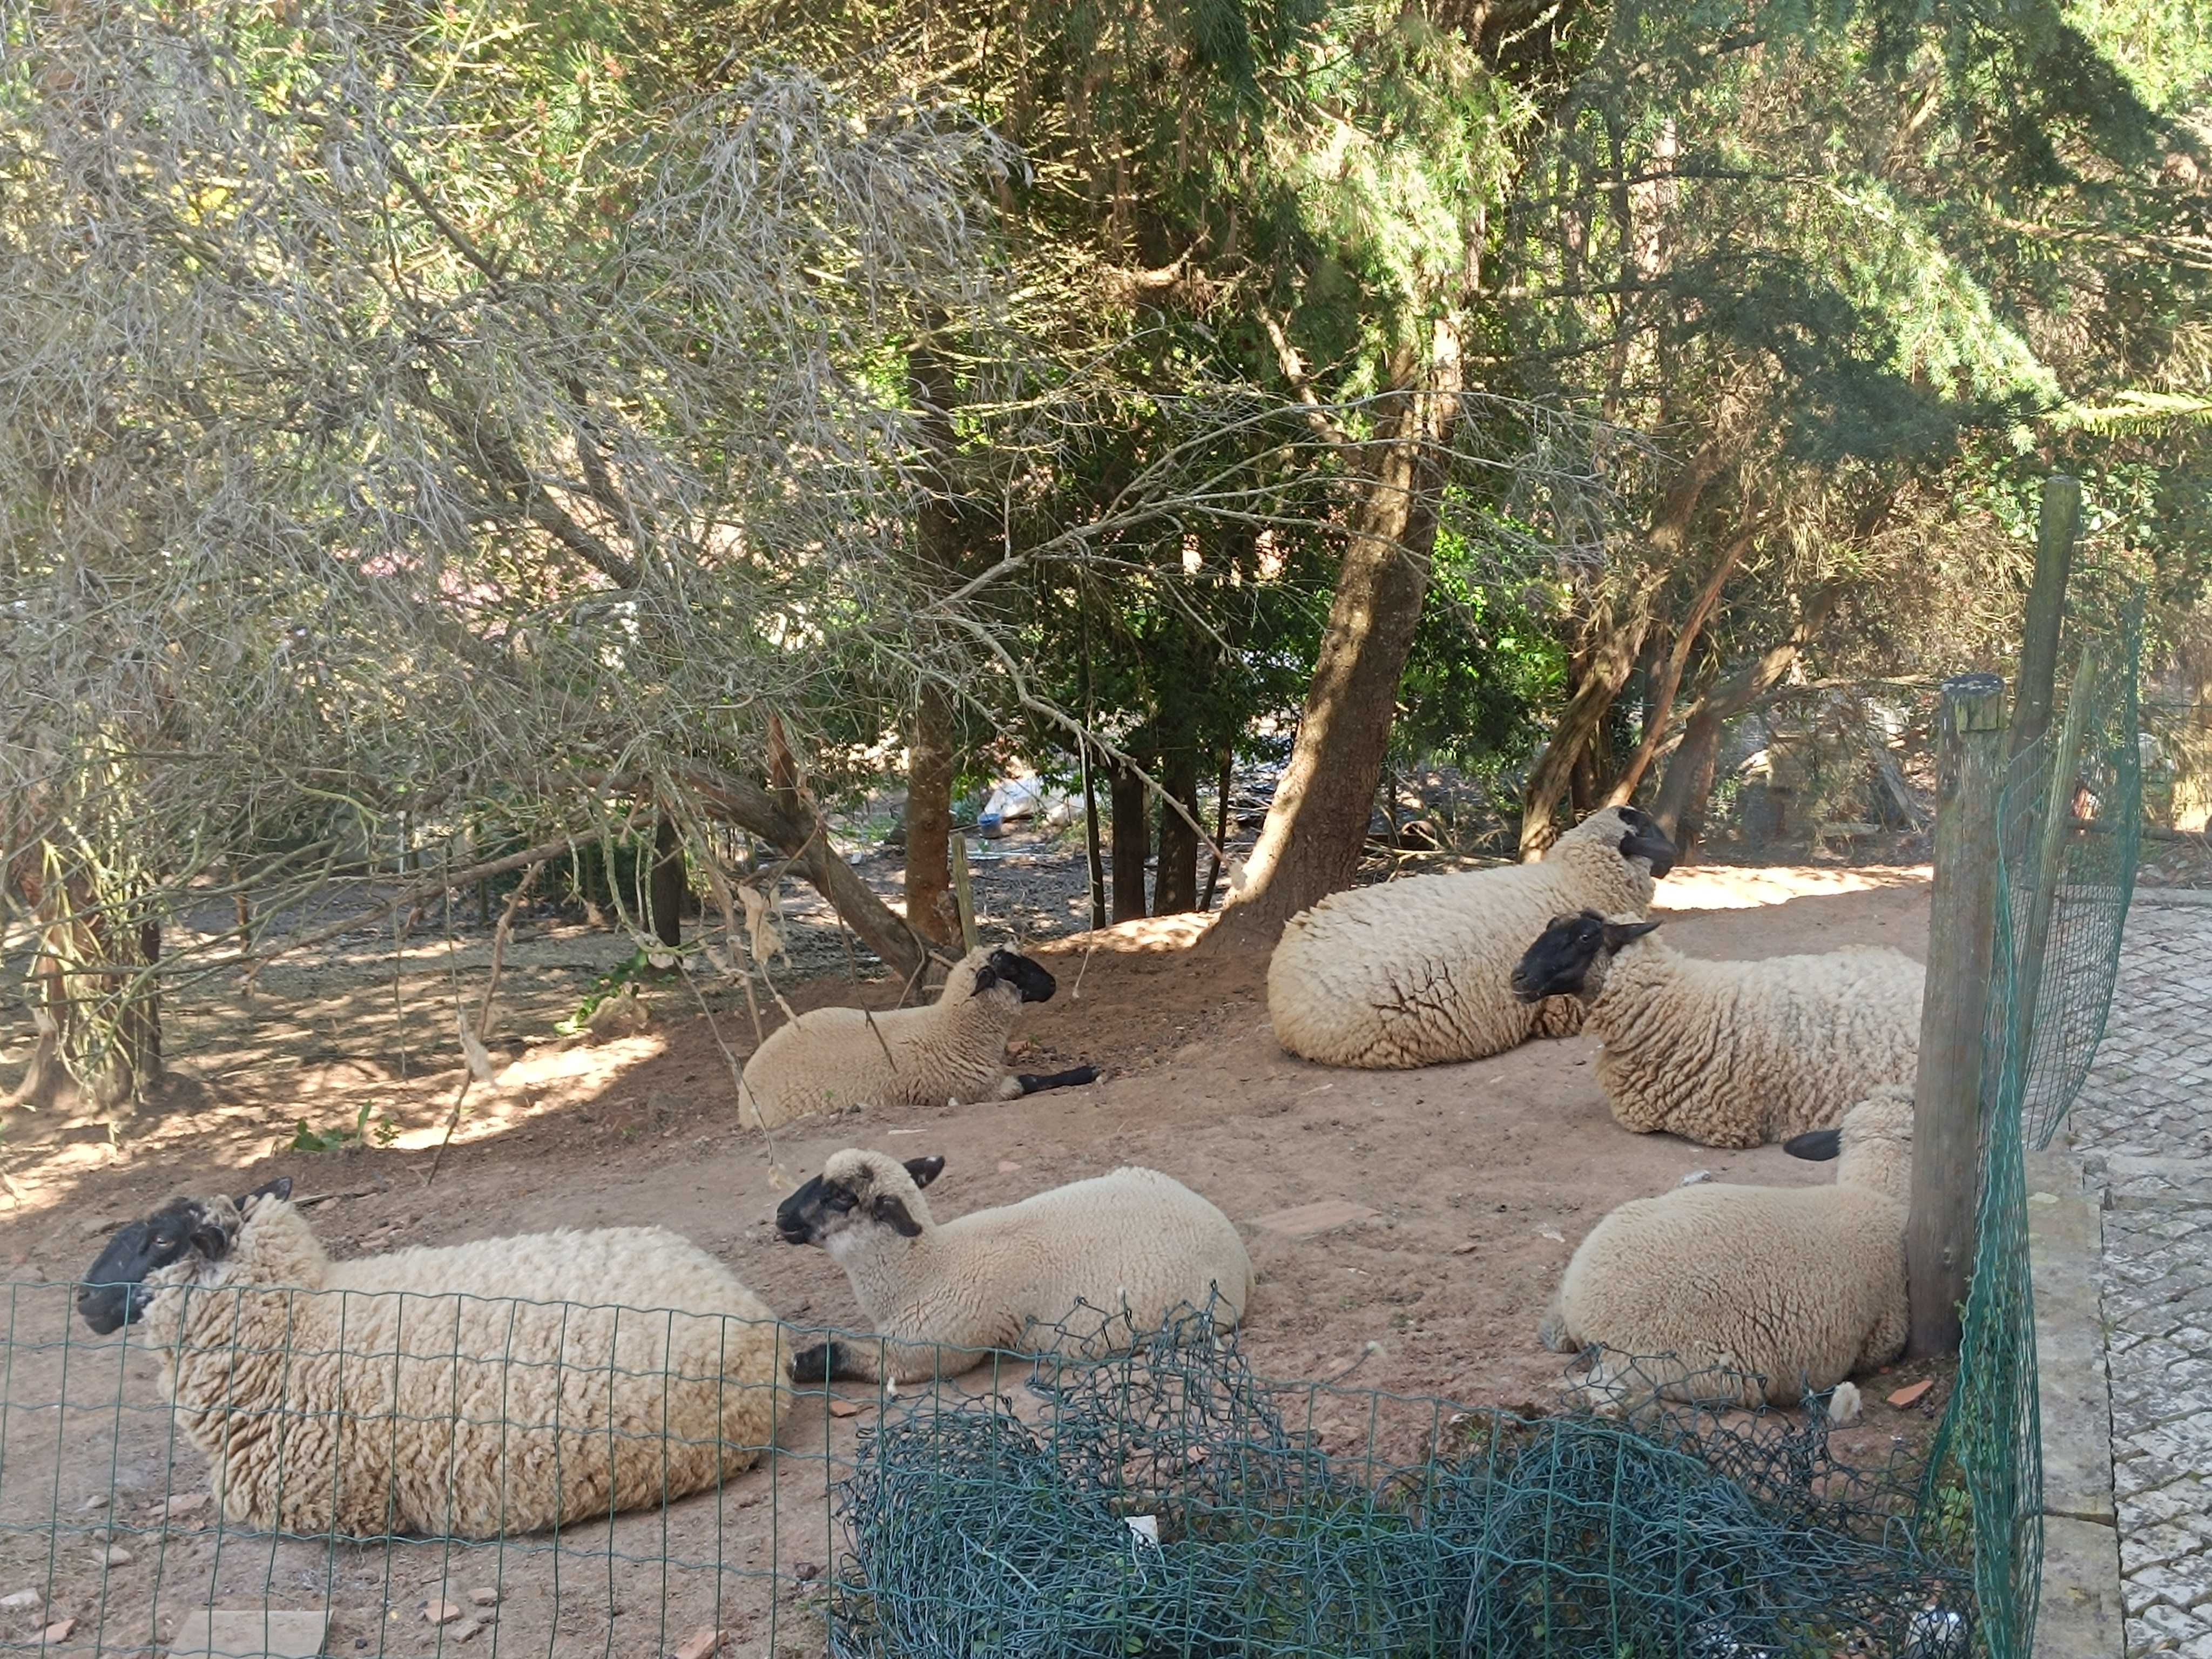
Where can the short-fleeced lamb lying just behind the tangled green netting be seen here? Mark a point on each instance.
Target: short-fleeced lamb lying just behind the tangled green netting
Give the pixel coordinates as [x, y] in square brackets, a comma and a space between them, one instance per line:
[1131, 1246]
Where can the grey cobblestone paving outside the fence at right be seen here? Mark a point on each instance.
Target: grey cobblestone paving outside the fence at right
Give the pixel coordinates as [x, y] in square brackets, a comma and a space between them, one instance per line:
[2147, 1116]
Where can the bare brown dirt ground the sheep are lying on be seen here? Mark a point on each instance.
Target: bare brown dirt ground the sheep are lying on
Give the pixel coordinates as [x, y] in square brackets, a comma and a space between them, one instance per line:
[1457, 1198]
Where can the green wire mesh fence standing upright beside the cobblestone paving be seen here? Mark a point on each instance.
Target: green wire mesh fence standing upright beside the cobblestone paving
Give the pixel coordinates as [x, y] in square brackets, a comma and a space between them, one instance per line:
[2069, 824]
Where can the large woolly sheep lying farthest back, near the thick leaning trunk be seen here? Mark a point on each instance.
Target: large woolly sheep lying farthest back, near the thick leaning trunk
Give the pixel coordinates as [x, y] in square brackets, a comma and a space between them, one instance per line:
[1415, 972]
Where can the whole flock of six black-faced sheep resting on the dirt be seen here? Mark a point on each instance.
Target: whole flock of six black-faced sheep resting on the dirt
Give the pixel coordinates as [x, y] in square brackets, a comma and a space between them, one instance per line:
[532, 1381]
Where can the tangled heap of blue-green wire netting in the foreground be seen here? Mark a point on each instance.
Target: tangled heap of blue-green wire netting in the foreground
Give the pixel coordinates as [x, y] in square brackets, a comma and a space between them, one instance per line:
[1165, 1507]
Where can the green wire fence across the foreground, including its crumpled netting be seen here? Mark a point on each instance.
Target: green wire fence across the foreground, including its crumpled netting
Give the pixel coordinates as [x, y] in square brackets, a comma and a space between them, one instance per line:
[1165, 1503]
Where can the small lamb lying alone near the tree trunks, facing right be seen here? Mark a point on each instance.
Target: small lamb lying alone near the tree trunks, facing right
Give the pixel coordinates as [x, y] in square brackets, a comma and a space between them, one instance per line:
[948, 1052]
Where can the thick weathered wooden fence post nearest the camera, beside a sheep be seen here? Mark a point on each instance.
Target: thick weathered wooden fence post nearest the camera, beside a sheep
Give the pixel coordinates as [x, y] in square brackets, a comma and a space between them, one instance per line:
[1954, 1014]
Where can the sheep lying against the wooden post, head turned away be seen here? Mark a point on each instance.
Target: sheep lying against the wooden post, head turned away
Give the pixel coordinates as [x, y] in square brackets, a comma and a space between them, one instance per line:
[1788, 1291]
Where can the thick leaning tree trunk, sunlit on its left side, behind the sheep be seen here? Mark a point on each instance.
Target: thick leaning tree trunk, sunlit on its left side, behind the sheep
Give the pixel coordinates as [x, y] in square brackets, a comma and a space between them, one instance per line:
[1317, 826]
